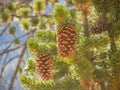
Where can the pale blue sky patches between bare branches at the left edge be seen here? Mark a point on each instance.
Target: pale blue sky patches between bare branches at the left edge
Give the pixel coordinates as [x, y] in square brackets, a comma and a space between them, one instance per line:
[12, 65]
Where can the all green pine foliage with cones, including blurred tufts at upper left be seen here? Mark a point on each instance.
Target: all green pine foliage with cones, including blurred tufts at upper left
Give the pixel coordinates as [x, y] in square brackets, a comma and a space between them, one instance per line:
[64, 55]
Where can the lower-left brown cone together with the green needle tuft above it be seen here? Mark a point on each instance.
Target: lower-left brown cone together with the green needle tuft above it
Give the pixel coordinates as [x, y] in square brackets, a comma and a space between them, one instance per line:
[43, 59]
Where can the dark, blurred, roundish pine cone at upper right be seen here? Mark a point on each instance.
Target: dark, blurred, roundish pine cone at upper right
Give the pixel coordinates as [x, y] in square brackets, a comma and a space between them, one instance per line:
[101, 25]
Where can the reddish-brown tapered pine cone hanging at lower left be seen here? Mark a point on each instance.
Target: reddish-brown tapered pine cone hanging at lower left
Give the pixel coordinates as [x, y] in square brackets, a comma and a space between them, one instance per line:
[44, 66]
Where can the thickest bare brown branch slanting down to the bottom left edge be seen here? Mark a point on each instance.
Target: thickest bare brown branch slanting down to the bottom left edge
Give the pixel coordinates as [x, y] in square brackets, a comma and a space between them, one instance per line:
[17, 68]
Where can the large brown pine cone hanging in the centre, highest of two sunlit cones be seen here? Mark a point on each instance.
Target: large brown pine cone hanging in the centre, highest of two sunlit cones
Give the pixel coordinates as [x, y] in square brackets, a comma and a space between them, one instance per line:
[66, 37]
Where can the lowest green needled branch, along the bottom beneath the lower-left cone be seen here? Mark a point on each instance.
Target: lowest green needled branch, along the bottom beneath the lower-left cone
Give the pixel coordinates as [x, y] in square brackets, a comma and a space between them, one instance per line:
[66, 84]
